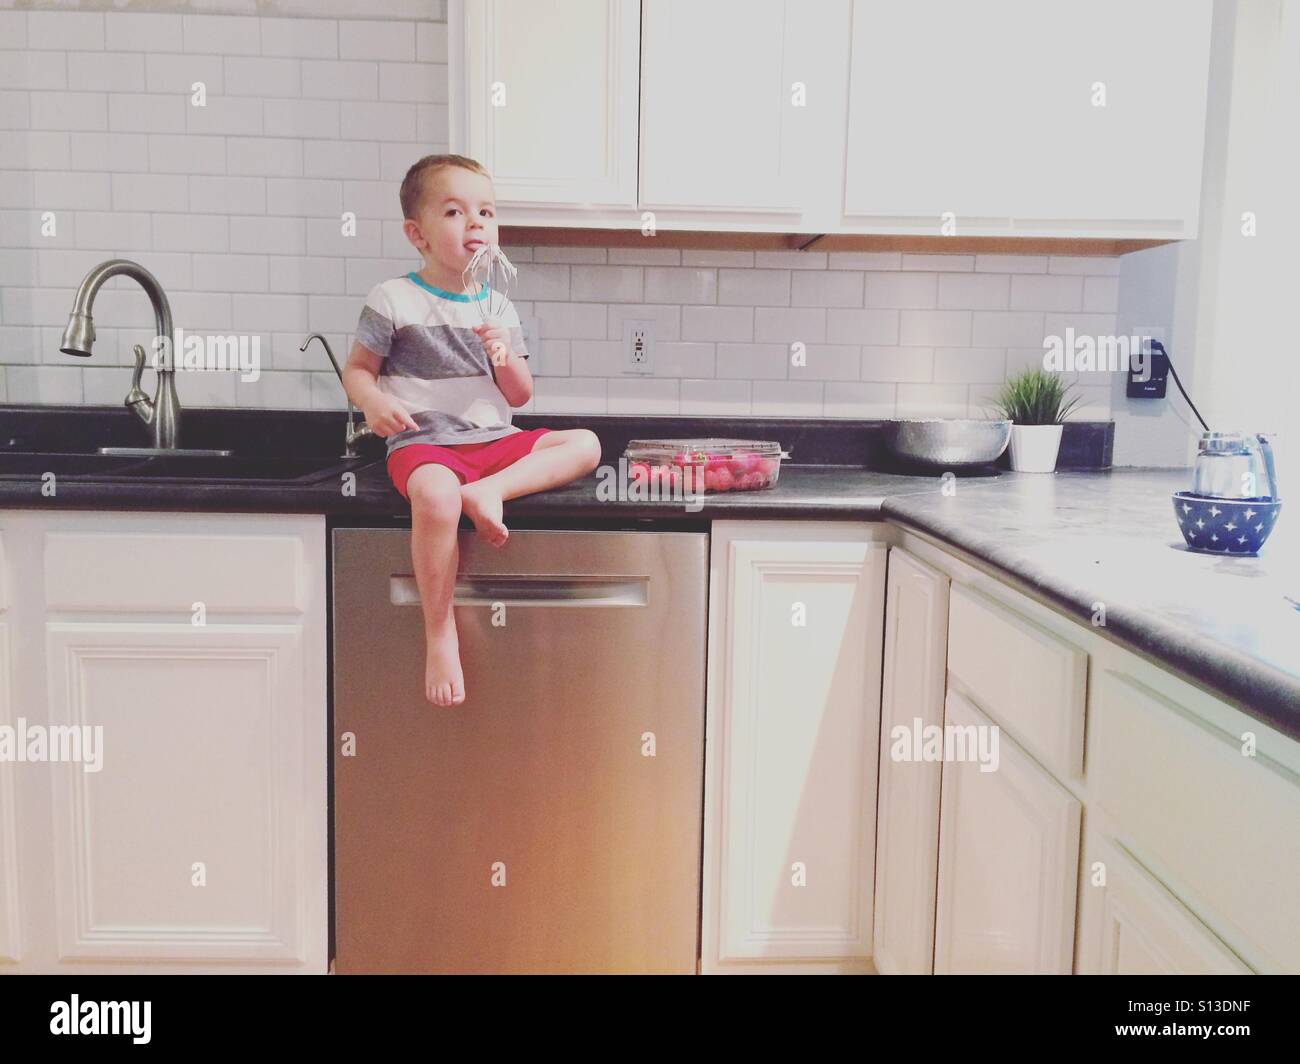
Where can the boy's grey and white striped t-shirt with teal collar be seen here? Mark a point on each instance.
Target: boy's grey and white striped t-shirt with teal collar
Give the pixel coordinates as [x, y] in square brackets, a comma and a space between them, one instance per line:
[435, 364]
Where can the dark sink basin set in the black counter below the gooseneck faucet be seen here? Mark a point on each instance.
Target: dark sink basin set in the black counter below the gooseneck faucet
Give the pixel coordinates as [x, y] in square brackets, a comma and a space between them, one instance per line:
[25, 466]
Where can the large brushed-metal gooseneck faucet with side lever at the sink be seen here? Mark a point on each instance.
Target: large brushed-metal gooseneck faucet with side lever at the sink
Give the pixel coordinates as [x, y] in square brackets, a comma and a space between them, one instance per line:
[162, 414]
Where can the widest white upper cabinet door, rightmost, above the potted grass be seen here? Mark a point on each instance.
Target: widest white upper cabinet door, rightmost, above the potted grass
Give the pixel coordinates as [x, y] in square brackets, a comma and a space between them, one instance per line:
[1032, 119]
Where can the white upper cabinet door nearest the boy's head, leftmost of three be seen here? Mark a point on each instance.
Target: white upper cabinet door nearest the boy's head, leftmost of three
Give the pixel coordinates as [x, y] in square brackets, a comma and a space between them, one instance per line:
[544, 94]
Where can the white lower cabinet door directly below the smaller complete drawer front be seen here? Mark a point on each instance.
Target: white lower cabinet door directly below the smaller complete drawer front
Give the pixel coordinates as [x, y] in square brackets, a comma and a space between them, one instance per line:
[1008, 855]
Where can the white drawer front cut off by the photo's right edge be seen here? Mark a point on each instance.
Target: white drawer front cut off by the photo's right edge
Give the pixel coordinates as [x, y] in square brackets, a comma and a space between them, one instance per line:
[1217, 827]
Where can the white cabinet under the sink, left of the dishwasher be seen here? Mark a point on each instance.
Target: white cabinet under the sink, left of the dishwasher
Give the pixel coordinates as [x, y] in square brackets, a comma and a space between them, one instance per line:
[197, 643]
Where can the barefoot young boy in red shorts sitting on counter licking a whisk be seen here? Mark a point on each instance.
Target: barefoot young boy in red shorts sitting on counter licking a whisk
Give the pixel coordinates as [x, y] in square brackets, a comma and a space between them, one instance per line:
[440, 386]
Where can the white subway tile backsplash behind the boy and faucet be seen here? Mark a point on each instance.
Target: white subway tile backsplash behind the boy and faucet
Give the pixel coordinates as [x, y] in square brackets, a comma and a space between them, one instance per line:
[240, 207]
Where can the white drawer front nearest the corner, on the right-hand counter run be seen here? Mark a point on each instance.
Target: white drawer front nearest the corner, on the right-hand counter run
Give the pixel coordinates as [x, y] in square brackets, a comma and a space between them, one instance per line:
[1026, 678]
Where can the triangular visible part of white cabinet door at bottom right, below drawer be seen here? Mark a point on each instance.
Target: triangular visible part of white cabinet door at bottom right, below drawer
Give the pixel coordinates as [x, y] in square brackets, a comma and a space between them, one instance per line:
[1132, 925]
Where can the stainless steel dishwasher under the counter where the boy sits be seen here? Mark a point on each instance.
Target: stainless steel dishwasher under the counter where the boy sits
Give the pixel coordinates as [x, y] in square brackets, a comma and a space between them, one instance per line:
[552, 823]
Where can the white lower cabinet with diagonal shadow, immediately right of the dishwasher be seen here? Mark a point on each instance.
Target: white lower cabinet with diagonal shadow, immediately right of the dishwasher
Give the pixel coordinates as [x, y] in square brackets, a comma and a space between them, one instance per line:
[794, 703]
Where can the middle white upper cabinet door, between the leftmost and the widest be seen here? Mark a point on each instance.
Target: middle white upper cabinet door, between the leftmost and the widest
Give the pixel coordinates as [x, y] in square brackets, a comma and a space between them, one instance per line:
[742, 102]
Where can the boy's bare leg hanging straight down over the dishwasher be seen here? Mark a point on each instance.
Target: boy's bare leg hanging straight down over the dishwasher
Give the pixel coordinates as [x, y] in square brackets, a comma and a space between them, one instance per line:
[435, 494]
